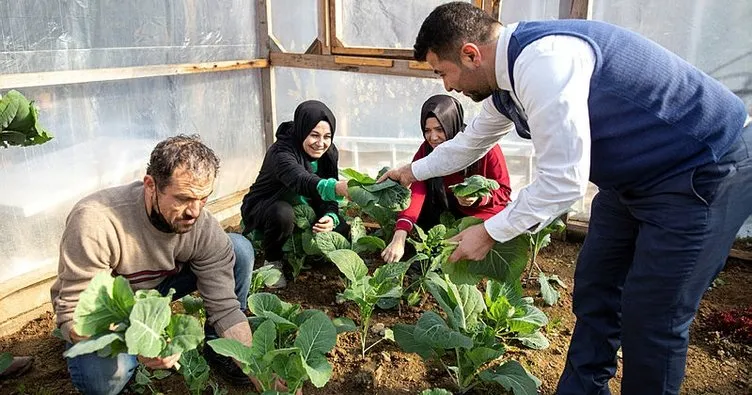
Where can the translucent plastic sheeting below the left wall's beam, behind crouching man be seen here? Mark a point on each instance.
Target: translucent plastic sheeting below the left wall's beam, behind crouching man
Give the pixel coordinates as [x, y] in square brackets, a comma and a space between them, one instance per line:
[104, 133]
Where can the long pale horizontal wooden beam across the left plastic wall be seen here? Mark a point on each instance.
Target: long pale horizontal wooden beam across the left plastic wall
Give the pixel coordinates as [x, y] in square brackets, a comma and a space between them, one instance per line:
[66, 77]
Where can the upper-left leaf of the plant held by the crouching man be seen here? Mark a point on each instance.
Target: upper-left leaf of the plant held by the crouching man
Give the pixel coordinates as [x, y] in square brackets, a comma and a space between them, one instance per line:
[96, 310]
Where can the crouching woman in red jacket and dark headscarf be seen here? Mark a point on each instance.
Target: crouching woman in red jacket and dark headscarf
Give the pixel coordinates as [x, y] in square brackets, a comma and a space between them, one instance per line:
[441, 118]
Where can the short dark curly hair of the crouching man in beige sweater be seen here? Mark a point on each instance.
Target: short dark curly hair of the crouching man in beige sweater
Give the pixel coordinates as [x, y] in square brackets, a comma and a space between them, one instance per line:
[181, 151]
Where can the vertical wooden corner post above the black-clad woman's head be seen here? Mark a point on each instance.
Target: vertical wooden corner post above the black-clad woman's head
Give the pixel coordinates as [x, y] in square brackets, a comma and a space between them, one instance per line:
[268, 104]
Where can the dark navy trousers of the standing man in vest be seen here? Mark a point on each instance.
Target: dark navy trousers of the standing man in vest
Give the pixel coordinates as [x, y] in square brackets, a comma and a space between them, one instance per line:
[647, 260]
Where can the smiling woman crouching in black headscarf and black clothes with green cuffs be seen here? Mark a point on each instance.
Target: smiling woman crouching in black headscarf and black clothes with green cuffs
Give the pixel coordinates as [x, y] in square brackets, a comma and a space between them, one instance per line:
[299, 168]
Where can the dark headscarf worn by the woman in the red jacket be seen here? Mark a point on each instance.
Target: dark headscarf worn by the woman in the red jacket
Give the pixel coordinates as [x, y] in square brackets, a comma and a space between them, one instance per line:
[448, 111]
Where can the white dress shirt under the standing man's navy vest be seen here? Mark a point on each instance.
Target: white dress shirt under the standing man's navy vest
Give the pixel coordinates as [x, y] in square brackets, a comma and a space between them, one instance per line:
[552, 84]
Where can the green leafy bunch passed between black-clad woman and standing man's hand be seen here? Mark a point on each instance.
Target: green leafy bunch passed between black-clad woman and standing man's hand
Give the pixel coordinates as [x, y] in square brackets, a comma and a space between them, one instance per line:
[364, 191]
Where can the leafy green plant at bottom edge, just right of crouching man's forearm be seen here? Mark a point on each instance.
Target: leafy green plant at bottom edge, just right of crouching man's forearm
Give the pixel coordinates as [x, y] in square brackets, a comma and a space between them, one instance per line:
[288, 343]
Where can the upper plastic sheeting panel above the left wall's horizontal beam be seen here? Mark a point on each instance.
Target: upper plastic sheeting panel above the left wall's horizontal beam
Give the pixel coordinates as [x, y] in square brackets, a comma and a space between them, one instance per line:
[51, 35]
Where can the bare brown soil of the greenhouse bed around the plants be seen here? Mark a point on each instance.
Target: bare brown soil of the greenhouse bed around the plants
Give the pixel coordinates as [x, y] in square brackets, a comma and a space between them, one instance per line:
[714, 366]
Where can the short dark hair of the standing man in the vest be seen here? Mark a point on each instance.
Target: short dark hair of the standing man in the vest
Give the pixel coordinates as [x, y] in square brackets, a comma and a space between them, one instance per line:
[451, 25]
